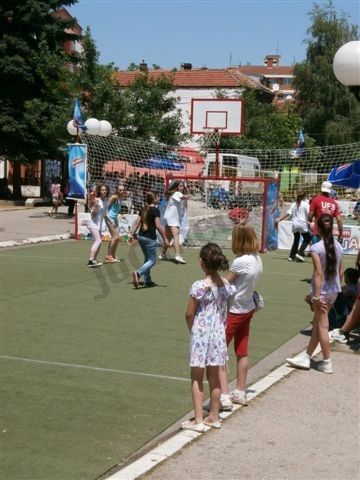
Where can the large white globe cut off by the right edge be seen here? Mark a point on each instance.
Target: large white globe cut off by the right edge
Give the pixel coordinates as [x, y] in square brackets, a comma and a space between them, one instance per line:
[346, 64]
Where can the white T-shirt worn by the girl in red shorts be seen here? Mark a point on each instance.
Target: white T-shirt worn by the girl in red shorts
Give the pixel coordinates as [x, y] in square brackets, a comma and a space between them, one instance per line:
[248, 270]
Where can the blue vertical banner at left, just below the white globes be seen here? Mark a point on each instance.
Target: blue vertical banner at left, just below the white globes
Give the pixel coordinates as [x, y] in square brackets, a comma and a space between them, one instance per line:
[77, 171]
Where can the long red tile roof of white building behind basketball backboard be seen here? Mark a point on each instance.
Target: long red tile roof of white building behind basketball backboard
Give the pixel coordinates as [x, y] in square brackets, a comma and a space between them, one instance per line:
[196, 78]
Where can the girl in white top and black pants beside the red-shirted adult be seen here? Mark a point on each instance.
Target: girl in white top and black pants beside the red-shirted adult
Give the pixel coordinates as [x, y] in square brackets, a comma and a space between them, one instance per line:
[298, 212]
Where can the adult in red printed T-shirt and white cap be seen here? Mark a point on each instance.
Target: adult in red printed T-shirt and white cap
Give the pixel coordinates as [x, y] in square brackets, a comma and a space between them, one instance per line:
[324, 204]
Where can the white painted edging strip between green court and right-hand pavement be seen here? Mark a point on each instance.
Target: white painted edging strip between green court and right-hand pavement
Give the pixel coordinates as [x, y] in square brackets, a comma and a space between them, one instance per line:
[180, 439]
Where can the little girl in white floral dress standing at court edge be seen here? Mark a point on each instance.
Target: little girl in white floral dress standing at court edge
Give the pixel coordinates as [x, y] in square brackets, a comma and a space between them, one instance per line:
[206, 319]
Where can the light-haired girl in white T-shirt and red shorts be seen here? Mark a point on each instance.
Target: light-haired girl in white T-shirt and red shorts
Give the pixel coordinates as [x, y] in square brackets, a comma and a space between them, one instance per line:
[245, 272]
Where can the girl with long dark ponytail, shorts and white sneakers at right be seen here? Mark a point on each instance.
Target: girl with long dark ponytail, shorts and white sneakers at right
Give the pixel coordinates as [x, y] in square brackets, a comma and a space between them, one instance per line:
[325, 286]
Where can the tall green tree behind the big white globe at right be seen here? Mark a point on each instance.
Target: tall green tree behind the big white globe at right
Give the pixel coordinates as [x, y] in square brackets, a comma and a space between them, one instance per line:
[330, 112]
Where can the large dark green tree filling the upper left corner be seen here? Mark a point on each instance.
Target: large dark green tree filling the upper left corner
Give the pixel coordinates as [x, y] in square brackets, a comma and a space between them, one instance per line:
[34, 95]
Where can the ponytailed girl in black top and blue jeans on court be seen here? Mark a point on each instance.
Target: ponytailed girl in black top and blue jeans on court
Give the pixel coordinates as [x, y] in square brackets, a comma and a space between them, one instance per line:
[147, 222]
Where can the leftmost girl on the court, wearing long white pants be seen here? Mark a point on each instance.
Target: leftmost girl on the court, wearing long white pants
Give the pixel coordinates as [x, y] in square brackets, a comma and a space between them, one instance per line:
[97, 207]
